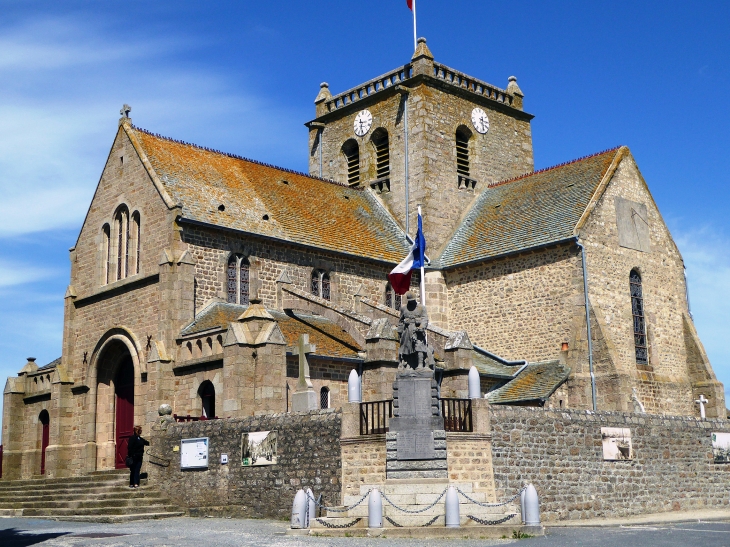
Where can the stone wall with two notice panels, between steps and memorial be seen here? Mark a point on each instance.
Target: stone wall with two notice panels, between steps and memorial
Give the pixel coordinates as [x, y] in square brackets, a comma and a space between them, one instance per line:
[308, 456]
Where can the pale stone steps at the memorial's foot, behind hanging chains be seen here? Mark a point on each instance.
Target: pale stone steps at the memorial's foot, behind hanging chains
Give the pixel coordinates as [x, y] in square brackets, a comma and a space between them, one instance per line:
[418, 495]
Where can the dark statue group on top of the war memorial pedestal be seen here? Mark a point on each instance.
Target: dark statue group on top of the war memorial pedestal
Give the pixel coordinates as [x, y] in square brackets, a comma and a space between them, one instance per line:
[414, 350]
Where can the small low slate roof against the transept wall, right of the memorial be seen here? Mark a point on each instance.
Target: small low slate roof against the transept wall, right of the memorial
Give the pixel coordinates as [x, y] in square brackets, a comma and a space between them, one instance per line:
[536, 383]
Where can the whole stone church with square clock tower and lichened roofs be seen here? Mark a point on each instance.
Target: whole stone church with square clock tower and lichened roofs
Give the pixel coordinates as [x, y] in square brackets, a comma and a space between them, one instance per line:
[196, 271]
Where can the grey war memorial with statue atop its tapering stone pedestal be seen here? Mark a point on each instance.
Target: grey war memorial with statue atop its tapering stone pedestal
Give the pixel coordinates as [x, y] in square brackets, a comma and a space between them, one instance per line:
[416, 441]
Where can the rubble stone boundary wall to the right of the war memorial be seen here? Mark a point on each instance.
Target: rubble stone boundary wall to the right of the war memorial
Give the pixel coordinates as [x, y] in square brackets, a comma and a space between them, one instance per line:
[560, 452]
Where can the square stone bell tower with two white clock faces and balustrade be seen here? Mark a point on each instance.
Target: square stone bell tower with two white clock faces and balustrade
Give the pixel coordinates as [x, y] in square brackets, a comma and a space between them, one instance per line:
[423, 134]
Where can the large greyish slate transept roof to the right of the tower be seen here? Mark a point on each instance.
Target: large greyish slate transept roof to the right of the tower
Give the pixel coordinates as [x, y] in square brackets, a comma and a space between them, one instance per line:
[522, 213]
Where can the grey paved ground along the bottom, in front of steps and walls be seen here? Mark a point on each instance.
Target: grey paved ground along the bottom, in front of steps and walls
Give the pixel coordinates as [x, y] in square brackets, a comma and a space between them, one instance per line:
[263, 533]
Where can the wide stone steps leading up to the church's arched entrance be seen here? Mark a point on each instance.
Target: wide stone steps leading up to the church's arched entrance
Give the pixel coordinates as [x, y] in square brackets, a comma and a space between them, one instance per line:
[103, 496]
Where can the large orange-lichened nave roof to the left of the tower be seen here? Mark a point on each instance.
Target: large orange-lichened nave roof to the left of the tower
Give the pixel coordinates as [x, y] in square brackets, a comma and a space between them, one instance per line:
[272, 202]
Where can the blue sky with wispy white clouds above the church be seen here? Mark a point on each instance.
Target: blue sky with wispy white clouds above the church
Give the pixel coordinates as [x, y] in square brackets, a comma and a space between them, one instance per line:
[242, 77]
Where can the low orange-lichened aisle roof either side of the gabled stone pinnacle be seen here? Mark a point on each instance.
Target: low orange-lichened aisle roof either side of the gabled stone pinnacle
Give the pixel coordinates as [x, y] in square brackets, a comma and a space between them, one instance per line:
[330, 339]
